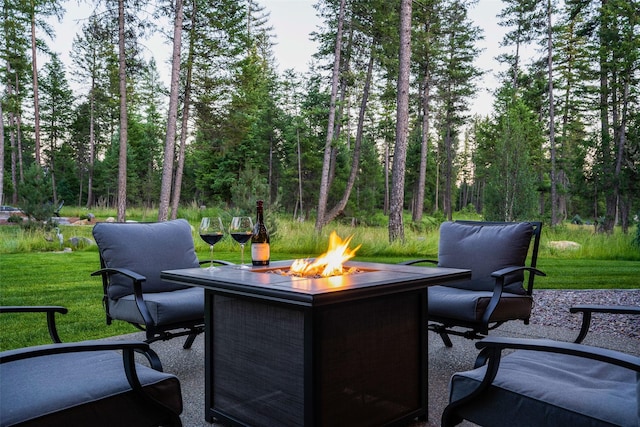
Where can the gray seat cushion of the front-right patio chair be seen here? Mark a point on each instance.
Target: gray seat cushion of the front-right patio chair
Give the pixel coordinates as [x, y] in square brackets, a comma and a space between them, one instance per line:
[543, 389]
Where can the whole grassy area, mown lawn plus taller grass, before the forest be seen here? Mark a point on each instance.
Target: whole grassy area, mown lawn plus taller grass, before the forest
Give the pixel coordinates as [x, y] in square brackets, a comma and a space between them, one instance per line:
[35, 271]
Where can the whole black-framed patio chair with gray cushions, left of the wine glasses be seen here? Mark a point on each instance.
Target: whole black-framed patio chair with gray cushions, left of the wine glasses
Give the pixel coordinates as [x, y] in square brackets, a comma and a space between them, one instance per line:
[132, 255]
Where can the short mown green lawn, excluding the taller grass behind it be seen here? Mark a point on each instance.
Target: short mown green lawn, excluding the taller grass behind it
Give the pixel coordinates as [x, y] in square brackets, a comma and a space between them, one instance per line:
[63, 278]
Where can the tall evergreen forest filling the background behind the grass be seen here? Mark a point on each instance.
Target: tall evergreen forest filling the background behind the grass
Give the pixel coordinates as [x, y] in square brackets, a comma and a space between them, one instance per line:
[380, 124]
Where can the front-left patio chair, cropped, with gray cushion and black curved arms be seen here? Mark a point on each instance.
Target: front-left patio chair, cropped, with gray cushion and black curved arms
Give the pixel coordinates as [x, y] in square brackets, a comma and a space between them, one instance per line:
[89, 383]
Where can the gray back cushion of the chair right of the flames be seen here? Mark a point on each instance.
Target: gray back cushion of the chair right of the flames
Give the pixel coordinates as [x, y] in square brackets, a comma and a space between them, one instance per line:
[485, 248]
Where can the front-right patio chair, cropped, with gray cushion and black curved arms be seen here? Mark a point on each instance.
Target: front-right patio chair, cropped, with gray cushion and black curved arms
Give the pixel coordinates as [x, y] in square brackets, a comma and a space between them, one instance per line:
[548, 383]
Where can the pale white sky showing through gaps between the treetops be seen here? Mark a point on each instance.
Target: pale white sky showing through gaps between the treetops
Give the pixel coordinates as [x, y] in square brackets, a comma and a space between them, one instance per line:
[293, 21]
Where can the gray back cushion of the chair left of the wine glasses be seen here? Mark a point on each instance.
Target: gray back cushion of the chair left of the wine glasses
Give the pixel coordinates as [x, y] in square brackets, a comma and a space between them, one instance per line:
[147, 249]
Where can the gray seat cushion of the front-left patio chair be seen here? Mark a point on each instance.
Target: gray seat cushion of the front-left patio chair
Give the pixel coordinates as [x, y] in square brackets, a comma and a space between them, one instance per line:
[62, 390]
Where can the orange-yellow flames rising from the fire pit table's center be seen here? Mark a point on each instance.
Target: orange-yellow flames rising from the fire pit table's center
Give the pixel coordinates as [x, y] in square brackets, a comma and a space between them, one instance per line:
[329, 263]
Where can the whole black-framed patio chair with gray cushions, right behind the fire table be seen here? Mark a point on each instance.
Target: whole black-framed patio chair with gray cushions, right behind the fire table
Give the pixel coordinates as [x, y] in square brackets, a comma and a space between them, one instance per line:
[496, 254]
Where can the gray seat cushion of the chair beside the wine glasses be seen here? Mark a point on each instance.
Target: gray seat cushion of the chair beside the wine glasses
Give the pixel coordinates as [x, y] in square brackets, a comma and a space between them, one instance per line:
[165, 308]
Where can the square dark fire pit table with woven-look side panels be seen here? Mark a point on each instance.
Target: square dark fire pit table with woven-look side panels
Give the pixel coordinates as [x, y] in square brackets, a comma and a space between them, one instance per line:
[292, 351]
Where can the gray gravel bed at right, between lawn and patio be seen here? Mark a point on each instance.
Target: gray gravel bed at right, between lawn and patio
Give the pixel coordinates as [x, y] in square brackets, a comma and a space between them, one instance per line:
[552, 309]
